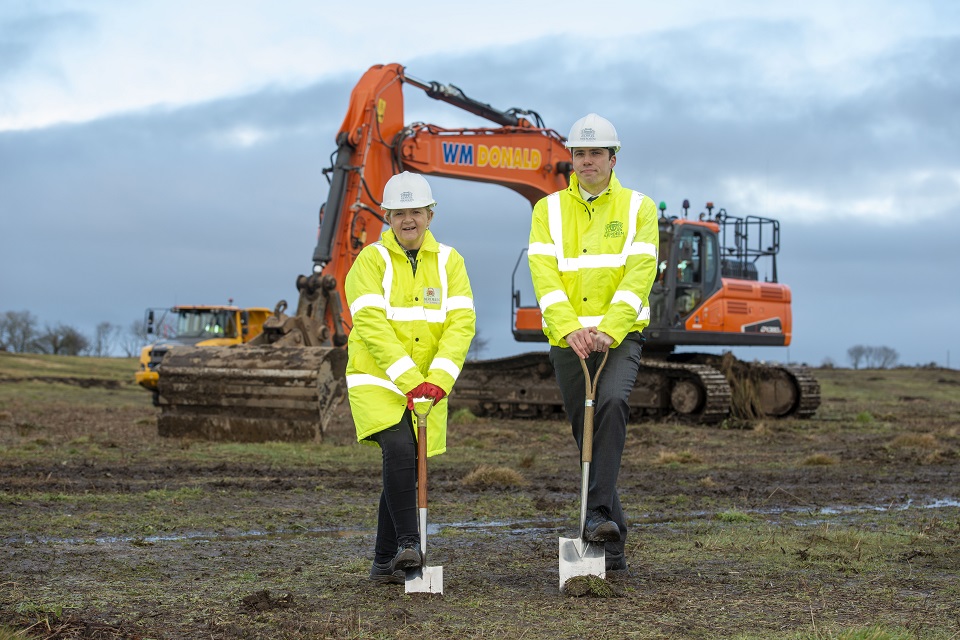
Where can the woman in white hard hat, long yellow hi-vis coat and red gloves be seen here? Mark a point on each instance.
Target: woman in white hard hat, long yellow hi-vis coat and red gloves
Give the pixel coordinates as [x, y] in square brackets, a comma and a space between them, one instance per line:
[413, 321]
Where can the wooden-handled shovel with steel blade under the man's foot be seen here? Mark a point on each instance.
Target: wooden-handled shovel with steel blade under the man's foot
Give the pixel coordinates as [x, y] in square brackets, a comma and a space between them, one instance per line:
[577, 556]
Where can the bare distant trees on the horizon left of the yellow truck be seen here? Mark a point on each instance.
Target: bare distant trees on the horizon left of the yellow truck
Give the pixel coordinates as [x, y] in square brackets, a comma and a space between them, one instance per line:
[20, 332]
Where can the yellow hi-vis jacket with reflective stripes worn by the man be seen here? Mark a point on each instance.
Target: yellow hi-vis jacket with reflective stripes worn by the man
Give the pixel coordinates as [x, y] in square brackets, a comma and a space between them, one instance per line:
[593, 264]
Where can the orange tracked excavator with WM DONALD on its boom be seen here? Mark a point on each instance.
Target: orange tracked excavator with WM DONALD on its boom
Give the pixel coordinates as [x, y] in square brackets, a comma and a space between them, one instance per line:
[284, 384]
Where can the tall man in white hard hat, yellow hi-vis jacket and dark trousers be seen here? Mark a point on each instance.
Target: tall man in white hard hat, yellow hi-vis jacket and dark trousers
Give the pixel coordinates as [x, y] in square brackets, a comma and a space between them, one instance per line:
[593, 258]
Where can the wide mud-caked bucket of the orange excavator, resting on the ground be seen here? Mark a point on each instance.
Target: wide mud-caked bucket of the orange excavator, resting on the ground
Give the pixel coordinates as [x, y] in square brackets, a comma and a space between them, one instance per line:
[250, 394]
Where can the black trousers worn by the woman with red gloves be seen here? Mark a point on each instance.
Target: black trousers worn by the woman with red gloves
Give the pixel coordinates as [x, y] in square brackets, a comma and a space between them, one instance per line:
[397, 521]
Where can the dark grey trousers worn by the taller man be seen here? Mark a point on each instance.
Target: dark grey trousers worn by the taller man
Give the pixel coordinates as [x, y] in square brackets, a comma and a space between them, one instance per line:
[611, 413]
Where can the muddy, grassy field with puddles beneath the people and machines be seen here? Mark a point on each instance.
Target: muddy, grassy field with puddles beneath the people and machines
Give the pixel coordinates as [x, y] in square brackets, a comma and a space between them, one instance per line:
[845, 524]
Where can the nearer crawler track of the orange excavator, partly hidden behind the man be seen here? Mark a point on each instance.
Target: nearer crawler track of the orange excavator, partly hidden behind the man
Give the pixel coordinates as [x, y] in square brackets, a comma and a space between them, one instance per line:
[524, 386]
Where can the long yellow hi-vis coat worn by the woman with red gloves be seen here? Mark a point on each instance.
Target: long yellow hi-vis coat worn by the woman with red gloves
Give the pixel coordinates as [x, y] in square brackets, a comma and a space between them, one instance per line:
[407, 329]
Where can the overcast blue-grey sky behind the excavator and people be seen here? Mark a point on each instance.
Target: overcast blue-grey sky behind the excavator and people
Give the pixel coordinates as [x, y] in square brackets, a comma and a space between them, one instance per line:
[160, 152]
